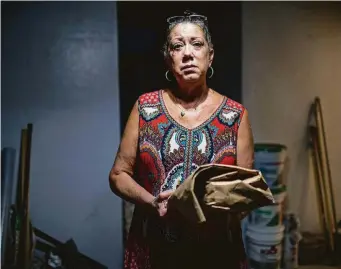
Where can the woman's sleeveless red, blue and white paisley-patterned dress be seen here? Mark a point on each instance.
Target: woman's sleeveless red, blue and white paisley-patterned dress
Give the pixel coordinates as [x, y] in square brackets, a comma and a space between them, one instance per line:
[168, 153]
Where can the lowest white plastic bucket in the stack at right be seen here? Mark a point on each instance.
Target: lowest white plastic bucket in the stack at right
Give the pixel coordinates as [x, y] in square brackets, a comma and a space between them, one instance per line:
[264, 247]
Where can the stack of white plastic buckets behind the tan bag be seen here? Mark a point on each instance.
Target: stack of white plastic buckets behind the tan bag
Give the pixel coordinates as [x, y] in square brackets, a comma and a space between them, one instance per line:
[265, 230]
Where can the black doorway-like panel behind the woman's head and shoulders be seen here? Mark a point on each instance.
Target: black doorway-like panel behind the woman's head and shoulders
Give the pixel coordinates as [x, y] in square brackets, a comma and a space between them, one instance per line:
[141, 27]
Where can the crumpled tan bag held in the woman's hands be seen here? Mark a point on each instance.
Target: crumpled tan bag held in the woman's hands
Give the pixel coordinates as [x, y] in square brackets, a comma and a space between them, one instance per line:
[218, 187]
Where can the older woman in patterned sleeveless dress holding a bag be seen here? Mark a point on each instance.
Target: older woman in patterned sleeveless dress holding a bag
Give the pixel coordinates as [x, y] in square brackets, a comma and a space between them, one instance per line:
[170, 132]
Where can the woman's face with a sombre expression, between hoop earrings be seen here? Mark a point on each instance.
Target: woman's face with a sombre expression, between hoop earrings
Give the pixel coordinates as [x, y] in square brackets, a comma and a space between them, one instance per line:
[189, 53]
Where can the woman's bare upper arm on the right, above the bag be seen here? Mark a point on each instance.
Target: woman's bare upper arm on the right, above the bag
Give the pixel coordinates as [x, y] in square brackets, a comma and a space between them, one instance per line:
[245, 147]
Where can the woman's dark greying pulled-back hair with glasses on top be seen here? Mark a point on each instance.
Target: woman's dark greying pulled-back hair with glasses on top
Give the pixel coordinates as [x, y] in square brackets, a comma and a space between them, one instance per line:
[189, 17]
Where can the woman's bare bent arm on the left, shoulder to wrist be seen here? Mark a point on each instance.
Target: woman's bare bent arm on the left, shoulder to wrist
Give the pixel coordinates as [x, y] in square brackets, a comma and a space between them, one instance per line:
[120, 178]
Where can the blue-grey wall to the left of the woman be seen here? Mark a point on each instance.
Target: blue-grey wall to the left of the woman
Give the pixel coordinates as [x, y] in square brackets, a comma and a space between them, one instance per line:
[59, 72]
